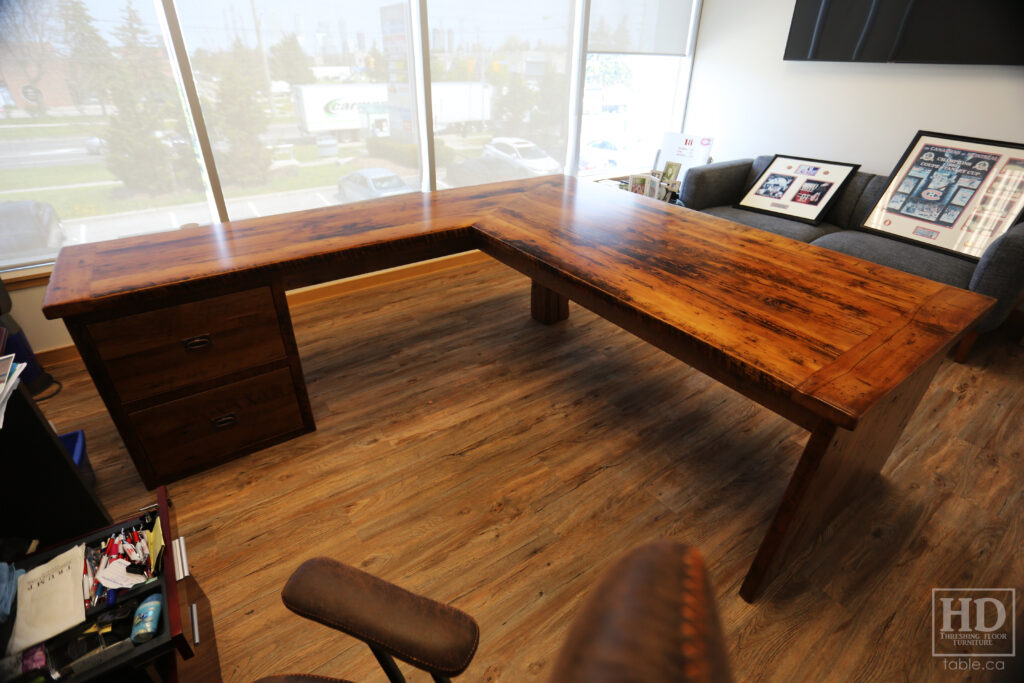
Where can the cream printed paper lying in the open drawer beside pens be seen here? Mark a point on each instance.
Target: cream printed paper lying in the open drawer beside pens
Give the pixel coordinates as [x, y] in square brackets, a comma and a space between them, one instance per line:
[50, 601]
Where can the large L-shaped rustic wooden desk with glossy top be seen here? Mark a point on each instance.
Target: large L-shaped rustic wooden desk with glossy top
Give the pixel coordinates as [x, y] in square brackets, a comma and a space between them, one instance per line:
[189, 339]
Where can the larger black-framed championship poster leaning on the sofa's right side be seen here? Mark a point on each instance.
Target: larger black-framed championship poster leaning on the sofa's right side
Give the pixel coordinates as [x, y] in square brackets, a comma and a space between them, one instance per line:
[952, 193]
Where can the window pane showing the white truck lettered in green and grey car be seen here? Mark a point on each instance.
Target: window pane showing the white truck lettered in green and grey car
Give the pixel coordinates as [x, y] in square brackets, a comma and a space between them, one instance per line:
[308, 104]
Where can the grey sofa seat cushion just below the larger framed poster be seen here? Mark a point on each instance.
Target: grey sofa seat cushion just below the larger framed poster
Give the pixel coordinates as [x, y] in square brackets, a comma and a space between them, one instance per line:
[901, 255]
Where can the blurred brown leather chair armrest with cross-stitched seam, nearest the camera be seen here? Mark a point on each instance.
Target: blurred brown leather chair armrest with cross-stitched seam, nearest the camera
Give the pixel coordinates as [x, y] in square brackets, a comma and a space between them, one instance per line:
[652, 618]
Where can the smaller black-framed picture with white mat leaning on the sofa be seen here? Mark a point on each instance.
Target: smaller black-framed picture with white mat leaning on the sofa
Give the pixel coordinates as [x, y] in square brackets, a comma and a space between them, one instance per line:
[800, 189]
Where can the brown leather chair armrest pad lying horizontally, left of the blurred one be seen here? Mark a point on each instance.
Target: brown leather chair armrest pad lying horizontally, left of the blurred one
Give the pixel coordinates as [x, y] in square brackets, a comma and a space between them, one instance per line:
[424, 633]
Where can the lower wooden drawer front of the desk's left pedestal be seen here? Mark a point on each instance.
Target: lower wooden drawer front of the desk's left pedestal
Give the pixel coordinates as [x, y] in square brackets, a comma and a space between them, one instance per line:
[200, 432]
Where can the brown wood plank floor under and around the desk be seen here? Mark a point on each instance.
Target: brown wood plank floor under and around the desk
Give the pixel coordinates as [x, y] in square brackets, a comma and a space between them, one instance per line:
[470, 453]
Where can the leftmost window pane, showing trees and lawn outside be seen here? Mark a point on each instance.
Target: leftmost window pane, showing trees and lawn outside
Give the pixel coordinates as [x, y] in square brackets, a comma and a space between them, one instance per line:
[95, 142]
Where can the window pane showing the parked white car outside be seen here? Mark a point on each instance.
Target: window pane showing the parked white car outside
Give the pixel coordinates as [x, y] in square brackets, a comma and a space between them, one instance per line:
[500, 89]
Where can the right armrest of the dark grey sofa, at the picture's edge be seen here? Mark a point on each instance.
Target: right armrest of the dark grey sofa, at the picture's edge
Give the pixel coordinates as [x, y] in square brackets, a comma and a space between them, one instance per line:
[1001, 275]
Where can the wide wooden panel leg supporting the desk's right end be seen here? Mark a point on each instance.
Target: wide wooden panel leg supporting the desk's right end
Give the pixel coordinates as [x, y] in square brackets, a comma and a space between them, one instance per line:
[832, 471]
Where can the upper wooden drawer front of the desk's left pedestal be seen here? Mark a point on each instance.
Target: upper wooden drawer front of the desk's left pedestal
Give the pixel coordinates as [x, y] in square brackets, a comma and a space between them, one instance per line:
[166, 350]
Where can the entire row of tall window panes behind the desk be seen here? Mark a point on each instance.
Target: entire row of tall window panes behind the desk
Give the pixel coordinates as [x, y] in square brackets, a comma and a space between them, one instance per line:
[127, 117]
